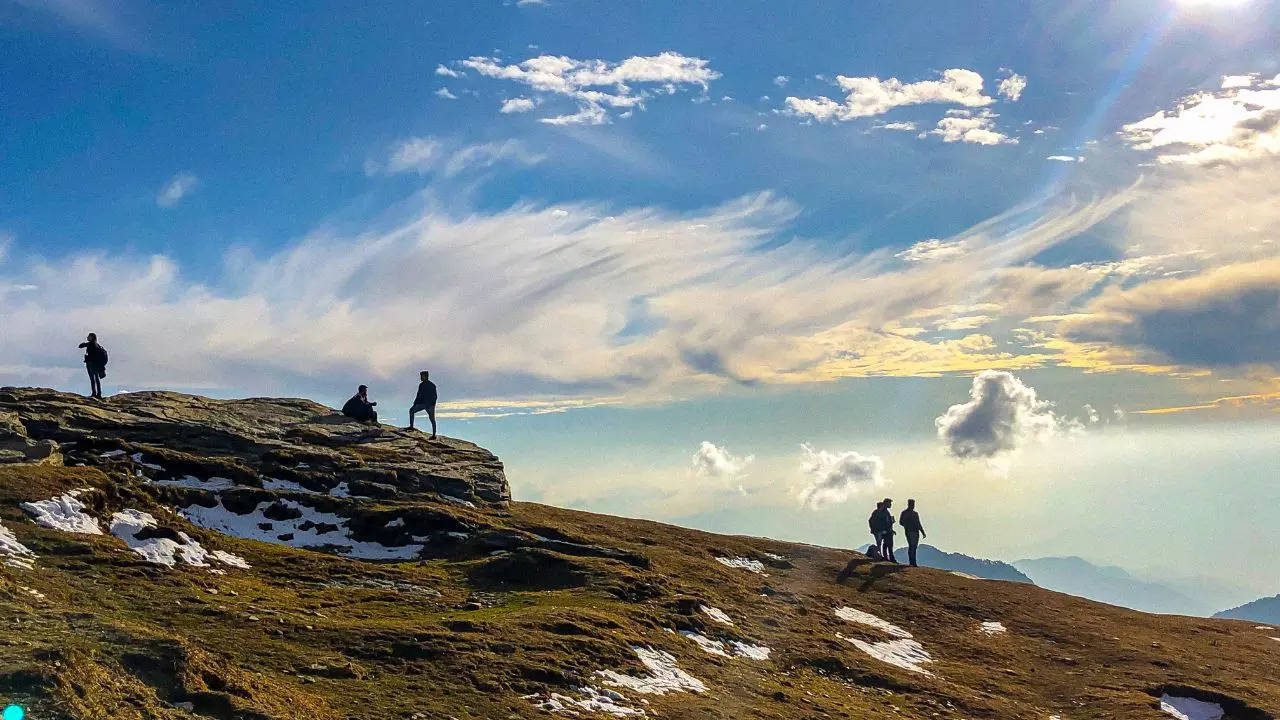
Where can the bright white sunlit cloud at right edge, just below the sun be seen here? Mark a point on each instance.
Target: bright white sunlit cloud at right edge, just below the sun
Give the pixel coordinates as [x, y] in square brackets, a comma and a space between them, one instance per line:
[1237, 125]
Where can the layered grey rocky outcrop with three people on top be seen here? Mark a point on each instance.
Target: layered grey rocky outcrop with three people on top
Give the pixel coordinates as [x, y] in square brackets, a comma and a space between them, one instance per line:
[248, 443]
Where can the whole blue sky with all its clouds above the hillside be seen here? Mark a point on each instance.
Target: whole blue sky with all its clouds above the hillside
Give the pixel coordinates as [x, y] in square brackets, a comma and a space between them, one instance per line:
[743, 266]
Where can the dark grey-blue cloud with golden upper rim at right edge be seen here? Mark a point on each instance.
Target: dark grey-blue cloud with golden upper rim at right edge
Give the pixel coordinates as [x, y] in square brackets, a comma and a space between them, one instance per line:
[1224, 318]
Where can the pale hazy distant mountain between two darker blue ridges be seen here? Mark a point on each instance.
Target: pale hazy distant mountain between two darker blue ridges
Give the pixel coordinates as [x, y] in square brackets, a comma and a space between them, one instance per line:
[1110, 585]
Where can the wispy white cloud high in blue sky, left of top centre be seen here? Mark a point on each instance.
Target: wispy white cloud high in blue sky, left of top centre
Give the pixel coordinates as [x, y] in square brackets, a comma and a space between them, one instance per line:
[598, 86]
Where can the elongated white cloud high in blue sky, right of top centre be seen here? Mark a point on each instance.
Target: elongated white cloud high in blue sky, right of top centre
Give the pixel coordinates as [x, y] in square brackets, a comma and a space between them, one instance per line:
[867, 97]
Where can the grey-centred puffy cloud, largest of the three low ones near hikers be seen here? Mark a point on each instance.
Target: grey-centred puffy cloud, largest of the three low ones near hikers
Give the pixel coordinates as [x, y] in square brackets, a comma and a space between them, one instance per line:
[1003, 414]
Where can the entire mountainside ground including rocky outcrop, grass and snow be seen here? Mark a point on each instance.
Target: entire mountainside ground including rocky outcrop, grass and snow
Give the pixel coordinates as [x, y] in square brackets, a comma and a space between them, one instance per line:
[175, 557]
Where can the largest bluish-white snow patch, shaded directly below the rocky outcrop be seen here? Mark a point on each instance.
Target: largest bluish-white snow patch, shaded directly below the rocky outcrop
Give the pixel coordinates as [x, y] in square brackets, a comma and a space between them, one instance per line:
[317, 535]
